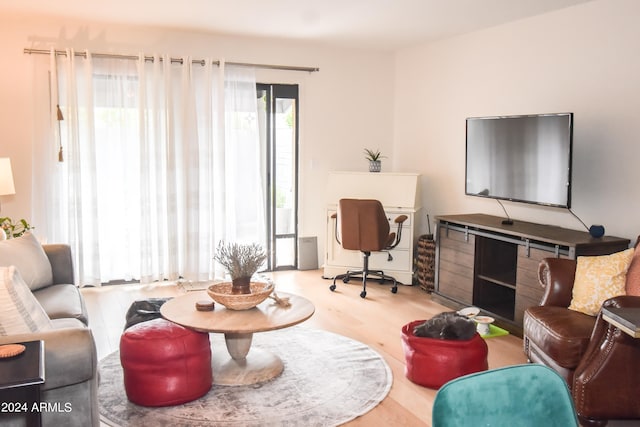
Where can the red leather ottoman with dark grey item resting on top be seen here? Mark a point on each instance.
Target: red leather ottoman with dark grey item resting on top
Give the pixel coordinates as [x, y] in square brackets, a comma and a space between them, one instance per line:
[431, 362]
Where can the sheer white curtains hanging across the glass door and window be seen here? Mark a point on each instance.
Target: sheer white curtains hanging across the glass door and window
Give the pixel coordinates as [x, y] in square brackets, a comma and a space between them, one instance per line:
[162, 160]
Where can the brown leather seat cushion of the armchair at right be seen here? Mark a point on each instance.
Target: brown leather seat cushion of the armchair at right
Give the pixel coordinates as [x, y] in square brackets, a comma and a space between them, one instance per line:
[562, 334]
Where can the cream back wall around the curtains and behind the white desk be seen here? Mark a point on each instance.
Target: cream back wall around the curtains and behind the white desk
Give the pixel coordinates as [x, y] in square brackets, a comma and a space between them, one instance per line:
[345, 107]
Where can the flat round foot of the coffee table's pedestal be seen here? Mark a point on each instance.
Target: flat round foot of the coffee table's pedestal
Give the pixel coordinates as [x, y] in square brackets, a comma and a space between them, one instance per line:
[257, 367]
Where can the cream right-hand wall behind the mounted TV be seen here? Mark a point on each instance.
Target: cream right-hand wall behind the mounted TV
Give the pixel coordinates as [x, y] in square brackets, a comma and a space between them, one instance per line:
[582, 59]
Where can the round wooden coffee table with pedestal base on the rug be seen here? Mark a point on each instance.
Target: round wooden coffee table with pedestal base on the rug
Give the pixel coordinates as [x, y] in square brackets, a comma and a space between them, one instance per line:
[243, 364]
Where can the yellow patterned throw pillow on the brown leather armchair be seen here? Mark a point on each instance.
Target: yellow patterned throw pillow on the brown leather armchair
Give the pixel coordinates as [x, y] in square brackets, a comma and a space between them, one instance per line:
[599, 278]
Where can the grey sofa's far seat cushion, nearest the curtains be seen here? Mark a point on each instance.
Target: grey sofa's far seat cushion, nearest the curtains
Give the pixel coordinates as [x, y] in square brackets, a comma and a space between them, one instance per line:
[62, 301]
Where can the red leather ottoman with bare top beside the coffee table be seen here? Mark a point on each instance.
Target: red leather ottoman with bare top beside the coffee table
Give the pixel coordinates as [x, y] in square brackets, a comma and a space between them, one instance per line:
[164, 363]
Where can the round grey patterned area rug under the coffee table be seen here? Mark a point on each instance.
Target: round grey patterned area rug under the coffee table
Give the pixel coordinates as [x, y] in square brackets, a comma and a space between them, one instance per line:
[328, 379]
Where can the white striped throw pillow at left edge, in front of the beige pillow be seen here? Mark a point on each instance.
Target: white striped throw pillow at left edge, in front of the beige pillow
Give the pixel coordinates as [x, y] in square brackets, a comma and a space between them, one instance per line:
[20, 311]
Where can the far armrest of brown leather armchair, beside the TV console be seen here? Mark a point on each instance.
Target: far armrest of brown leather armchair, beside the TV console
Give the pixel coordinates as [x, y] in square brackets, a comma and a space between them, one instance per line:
[556, 276]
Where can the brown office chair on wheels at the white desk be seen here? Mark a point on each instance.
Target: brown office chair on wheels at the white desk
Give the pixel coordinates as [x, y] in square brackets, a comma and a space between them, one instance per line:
[362, 225]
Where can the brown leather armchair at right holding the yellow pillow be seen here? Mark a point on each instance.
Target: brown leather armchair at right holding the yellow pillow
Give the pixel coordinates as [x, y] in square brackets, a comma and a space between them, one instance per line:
[600, 362]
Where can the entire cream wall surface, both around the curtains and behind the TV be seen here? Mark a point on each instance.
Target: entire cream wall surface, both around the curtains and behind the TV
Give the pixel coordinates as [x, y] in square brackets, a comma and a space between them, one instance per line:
[582, 59]
